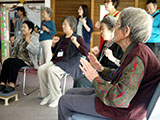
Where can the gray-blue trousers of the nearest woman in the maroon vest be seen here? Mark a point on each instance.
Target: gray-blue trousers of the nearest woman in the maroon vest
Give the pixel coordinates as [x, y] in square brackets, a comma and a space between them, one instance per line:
[77, 100]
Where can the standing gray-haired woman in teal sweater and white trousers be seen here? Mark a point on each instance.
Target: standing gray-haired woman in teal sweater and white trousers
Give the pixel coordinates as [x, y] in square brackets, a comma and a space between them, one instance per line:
[47, 29]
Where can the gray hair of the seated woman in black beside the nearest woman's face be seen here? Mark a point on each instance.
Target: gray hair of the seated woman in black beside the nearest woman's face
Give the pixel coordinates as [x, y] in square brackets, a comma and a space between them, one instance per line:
[110, 22]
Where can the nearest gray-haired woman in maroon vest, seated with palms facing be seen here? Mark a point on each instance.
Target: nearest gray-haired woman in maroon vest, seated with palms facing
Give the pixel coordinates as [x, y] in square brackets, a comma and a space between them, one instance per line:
[127, 95]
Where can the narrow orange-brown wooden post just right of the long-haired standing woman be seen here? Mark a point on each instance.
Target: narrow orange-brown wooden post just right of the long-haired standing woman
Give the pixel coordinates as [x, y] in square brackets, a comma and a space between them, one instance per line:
[92, 18]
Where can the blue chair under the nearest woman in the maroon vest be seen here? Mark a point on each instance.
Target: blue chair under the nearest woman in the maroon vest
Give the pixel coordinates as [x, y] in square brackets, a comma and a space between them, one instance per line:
[78, 116]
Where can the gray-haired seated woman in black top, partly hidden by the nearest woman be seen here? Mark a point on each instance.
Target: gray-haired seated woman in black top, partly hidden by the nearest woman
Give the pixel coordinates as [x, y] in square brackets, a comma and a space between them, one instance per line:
[108, 25]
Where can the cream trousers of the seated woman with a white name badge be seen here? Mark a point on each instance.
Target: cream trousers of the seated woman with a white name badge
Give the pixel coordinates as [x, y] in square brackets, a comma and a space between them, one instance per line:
[49, 80]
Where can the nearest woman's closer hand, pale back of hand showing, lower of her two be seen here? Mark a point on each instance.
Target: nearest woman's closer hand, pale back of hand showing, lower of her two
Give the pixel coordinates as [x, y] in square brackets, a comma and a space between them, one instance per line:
[88, 70]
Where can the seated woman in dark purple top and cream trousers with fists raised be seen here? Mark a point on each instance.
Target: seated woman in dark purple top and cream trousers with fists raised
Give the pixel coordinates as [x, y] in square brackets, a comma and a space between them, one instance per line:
[67, 53]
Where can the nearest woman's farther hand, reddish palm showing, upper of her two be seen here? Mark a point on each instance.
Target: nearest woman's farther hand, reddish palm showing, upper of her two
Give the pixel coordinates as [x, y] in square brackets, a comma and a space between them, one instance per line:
[95, 63]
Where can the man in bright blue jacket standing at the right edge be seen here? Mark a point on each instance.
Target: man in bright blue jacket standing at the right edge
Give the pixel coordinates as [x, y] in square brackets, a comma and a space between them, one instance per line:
[154, 41]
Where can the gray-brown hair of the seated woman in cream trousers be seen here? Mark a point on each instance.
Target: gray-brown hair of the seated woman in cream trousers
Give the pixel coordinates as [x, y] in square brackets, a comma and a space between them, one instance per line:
[72, 22]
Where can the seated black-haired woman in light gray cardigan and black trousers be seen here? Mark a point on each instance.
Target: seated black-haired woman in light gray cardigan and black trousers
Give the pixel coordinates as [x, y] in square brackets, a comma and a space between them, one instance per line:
[24, 53]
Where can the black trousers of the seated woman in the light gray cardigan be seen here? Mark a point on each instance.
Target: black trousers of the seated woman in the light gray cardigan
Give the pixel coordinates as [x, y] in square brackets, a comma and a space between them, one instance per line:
[10, 70]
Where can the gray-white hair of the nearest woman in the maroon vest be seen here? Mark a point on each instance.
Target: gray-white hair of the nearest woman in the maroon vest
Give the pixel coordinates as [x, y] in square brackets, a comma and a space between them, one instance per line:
[139, 21]
